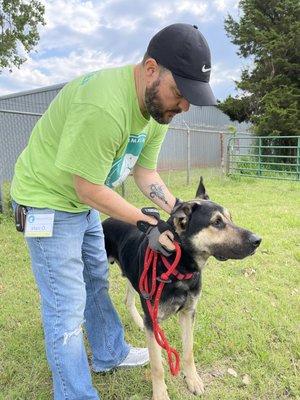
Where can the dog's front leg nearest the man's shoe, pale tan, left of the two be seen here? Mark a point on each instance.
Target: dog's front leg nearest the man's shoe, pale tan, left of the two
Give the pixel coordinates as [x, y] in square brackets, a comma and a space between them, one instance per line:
[157, 371]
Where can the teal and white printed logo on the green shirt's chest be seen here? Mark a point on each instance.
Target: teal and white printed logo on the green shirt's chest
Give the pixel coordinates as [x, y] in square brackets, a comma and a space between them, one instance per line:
[123, 165]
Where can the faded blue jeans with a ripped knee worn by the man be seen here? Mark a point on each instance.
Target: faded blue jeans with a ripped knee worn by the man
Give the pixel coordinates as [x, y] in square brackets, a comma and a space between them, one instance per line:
[71, 272]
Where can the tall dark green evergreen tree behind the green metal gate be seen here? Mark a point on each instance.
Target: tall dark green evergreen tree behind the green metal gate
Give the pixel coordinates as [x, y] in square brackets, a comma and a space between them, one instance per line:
[268, 34]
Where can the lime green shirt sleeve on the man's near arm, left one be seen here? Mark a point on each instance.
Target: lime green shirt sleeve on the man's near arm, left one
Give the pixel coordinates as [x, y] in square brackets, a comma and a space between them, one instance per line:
[89, 142]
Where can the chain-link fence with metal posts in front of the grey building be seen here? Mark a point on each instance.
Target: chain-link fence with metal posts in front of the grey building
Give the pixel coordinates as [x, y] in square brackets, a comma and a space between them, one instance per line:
[184, 147]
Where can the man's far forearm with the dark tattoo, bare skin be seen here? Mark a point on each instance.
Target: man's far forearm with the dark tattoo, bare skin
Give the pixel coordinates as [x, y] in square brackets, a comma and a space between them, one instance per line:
[153, 187]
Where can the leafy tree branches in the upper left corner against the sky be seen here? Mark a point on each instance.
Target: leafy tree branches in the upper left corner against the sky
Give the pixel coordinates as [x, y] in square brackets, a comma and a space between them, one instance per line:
[19, 20]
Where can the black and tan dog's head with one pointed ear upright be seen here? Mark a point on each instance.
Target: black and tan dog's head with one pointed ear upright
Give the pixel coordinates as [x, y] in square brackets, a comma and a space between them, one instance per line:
[206, 229]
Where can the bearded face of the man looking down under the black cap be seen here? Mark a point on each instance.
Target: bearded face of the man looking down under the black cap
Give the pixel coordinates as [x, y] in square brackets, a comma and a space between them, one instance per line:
[163, 99]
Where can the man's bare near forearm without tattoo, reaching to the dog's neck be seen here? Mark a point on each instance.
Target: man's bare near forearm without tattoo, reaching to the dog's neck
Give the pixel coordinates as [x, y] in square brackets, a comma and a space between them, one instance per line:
[111, 203]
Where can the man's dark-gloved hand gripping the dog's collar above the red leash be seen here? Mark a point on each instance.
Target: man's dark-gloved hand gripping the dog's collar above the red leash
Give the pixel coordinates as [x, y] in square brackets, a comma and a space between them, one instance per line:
[160, 238]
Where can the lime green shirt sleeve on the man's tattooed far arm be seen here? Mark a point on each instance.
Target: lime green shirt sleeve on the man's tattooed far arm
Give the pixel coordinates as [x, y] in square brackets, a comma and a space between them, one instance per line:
[149, 155]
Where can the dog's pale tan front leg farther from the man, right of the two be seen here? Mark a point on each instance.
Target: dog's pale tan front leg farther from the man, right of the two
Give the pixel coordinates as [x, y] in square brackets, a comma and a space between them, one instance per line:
[193, 380]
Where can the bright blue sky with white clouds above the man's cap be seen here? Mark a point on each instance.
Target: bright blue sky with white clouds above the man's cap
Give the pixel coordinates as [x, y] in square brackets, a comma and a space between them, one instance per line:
[83, 36]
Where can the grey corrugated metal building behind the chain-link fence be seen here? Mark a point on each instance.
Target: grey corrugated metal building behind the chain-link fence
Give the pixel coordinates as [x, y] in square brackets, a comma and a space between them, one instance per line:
[197, 138]
